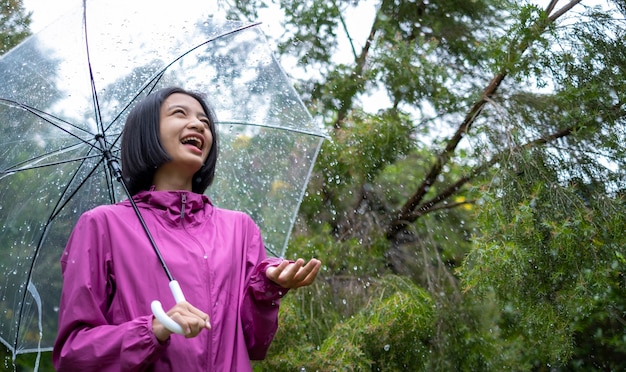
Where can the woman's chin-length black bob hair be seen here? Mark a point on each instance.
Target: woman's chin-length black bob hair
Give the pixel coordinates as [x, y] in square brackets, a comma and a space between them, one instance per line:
[141, 149]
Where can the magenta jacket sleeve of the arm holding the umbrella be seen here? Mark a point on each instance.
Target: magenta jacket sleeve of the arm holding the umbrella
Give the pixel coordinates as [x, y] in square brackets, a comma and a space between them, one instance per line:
[86, 340]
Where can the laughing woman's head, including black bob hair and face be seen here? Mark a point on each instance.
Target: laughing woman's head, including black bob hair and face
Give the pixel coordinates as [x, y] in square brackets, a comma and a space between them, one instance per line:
[152, 139]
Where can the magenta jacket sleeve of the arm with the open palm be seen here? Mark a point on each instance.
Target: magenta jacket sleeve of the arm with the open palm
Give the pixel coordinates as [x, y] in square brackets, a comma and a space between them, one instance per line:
[259, 312]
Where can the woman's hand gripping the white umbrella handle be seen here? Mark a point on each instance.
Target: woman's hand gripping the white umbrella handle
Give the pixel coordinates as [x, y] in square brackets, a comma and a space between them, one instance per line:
[192, 320]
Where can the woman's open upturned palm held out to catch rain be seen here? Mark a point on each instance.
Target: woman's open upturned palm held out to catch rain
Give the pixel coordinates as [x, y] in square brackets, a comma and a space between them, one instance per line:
[294, 274]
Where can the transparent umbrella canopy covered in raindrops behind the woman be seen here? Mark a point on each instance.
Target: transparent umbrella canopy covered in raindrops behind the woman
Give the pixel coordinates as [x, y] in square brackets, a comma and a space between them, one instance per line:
[72, 84]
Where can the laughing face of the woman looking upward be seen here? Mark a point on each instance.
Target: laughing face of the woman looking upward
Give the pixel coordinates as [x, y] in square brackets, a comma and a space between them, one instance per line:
[185, 132]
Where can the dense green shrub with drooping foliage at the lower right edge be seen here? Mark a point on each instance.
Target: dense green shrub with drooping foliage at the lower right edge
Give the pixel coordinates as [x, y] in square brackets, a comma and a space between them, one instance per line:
[552, 252]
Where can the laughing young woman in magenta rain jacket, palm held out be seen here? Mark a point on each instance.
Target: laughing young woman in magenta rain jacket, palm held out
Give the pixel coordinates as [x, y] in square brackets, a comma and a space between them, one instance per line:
[111, 274]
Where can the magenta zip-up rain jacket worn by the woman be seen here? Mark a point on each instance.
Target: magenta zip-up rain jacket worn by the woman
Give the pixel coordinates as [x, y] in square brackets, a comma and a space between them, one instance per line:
[111, 275]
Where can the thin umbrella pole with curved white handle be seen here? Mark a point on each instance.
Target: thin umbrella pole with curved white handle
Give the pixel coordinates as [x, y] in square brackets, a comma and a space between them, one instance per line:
[157, 308]
